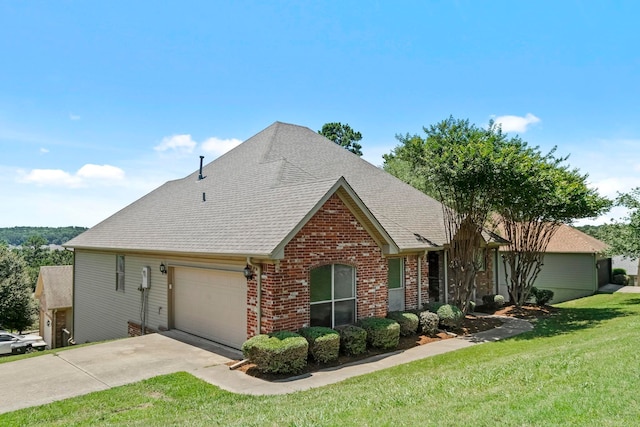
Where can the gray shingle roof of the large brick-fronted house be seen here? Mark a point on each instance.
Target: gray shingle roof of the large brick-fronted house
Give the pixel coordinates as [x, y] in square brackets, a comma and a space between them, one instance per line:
[257, 193]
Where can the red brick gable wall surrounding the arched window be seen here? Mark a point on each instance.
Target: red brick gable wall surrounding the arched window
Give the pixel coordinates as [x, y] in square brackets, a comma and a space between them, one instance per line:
[332, 235]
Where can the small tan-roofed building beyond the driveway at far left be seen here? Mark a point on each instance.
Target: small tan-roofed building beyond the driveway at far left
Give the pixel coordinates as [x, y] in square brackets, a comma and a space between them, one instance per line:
[54, 292]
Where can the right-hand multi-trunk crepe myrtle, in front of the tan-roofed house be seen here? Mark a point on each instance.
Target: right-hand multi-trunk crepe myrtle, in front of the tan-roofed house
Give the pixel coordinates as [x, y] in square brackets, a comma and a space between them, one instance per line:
[539, 194]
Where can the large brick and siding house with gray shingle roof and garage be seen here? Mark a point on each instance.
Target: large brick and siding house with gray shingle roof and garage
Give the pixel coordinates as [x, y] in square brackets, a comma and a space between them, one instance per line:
[326, 238]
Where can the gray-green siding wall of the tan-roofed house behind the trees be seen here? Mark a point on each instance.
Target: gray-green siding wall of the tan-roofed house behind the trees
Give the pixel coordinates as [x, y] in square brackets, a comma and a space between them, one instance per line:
[569, 276]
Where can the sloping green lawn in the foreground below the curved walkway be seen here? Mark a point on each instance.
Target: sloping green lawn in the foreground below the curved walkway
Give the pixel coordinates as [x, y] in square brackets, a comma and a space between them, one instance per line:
[581, 367]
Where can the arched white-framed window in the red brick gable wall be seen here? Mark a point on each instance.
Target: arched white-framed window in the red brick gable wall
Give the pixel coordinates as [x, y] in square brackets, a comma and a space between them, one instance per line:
[333, 295]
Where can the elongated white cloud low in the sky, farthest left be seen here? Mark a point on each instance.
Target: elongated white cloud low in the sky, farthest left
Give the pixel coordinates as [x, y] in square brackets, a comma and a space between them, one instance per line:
[86, 175]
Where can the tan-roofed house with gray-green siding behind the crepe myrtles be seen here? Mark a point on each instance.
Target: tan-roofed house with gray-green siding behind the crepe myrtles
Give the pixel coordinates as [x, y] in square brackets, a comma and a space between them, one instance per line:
[574, 266]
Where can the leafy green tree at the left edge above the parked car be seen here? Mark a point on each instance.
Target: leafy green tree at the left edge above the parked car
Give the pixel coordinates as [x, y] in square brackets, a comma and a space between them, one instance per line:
[17, 307]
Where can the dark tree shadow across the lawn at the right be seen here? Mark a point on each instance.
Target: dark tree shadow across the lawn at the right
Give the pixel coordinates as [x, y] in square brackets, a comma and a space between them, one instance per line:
[568, 320]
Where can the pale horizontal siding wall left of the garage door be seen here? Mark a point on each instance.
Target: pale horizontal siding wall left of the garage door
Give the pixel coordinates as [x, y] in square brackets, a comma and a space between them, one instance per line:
[101, 312]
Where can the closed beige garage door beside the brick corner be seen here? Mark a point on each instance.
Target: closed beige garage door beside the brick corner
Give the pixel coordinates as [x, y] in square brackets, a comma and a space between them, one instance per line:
[211, 304]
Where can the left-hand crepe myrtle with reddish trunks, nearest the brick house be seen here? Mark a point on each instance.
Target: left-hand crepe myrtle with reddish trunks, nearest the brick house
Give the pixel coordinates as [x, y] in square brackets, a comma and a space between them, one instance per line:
[457, 163]
